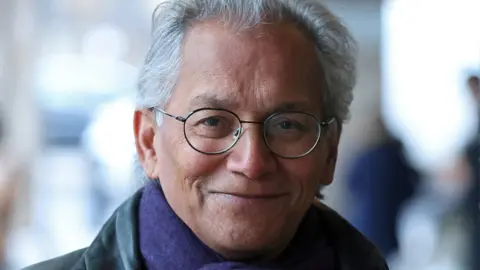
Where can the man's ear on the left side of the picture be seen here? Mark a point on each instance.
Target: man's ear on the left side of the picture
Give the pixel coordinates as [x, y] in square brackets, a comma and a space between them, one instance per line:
[144, 130]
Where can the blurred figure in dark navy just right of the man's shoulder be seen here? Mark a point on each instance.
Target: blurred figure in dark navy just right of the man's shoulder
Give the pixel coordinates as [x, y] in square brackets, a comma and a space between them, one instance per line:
[381, 179]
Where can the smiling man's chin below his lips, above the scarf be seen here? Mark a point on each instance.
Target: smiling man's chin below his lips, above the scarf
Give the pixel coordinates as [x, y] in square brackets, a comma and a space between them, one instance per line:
[247, 227]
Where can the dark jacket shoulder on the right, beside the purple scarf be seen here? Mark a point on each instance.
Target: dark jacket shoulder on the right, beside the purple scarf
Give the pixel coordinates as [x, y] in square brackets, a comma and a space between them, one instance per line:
[352, 247]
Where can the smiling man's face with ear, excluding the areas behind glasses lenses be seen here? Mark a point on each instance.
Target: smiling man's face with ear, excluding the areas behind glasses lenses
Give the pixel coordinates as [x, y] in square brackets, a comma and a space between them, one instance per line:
[245, 202]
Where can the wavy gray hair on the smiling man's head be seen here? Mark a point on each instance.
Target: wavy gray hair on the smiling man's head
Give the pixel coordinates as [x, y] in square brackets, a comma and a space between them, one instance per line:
[336, 48]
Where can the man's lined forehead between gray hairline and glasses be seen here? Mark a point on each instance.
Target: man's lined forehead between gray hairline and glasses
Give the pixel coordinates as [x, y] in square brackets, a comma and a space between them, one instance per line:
[256, 69]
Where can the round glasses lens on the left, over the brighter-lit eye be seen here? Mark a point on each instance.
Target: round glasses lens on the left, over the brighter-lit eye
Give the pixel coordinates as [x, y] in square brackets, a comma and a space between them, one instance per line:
[211, 131]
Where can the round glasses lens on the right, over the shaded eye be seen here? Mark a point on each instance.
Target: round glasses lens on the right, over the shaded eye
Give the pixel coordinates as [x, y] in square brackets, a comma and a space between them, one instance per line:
[292, 134]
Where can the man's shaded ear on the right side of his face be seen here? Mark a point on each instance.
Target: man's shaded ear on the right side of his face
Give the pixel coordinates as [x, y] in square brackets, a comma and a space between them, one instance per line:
[332, 140]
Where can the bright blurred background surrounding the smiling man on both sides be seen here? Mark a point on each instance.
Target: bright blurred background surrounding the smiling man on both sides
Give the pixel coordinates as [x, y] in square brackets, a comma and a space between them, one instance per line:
[407, 176]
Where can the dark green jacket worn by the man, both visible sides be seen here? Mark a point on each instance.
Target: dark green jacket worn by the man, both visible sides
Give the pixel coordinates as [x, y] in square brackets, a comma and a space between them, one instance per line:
[116, 247]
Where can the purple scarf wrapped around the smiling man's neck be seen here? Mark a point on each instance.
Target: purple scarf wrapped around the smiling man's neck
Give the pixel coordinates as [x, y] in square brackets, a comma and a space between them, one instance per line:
[167, 243]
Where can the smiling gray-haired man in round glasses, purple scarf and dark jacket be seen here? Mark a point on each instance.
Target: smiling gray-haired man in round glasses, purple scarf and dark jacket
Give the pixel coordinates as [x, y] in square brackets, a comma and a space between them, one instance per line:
[239, 115]
